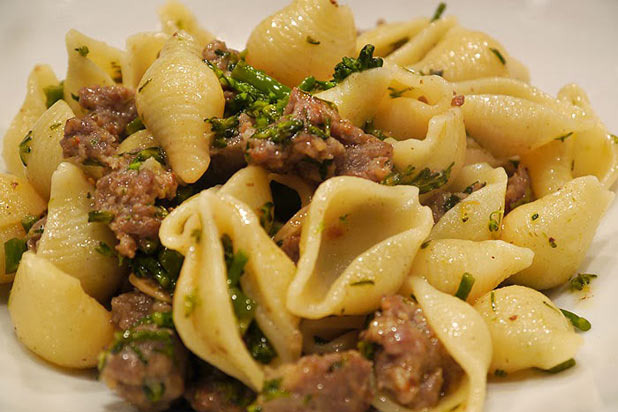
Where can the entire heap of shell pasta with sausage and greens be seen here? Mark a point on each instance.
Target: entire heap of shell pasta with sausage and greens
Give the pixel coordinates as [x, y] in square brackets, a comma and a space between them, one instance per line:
[326, 221]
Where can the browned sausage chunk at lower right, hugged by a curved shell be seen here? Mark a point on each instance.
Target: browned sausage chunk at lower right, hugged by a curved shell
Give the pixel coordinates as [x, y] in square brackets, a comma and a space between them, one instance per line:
[411, 364]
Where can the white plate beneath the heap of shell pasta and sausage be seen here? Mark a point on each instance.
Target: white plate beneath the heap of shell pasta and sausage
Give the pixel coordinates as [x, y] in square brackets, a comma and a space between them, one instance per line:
[560, 41]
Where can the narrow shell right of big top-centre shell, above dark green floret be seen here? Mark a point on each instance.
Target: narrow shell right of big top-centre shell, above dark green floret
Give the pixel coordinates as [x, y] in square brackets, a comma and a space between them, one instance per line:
[386, 37]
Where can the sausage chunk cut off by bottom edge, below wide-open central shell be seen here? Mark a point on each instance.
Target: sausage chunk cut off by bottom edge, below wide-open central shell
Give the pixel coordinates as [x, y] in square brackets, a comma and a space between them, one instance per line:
[317, 383]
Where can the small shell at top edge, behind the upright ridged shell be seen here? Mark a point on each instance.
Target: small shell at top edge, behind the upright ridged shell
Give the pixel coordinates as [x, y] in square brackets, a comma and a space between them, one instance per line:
[175, 16]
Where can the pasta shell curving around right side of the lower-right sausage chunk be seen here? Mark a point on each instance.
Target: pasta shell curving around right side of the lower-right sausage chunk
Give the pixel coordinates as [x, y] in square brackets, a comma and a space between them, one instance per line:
[466, 338]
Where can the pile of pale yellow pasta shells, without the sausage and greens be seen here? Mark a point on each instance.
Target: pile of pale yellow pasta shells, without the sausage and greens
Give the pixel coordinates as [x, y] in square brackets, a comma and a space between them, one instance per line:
[360, 240]
